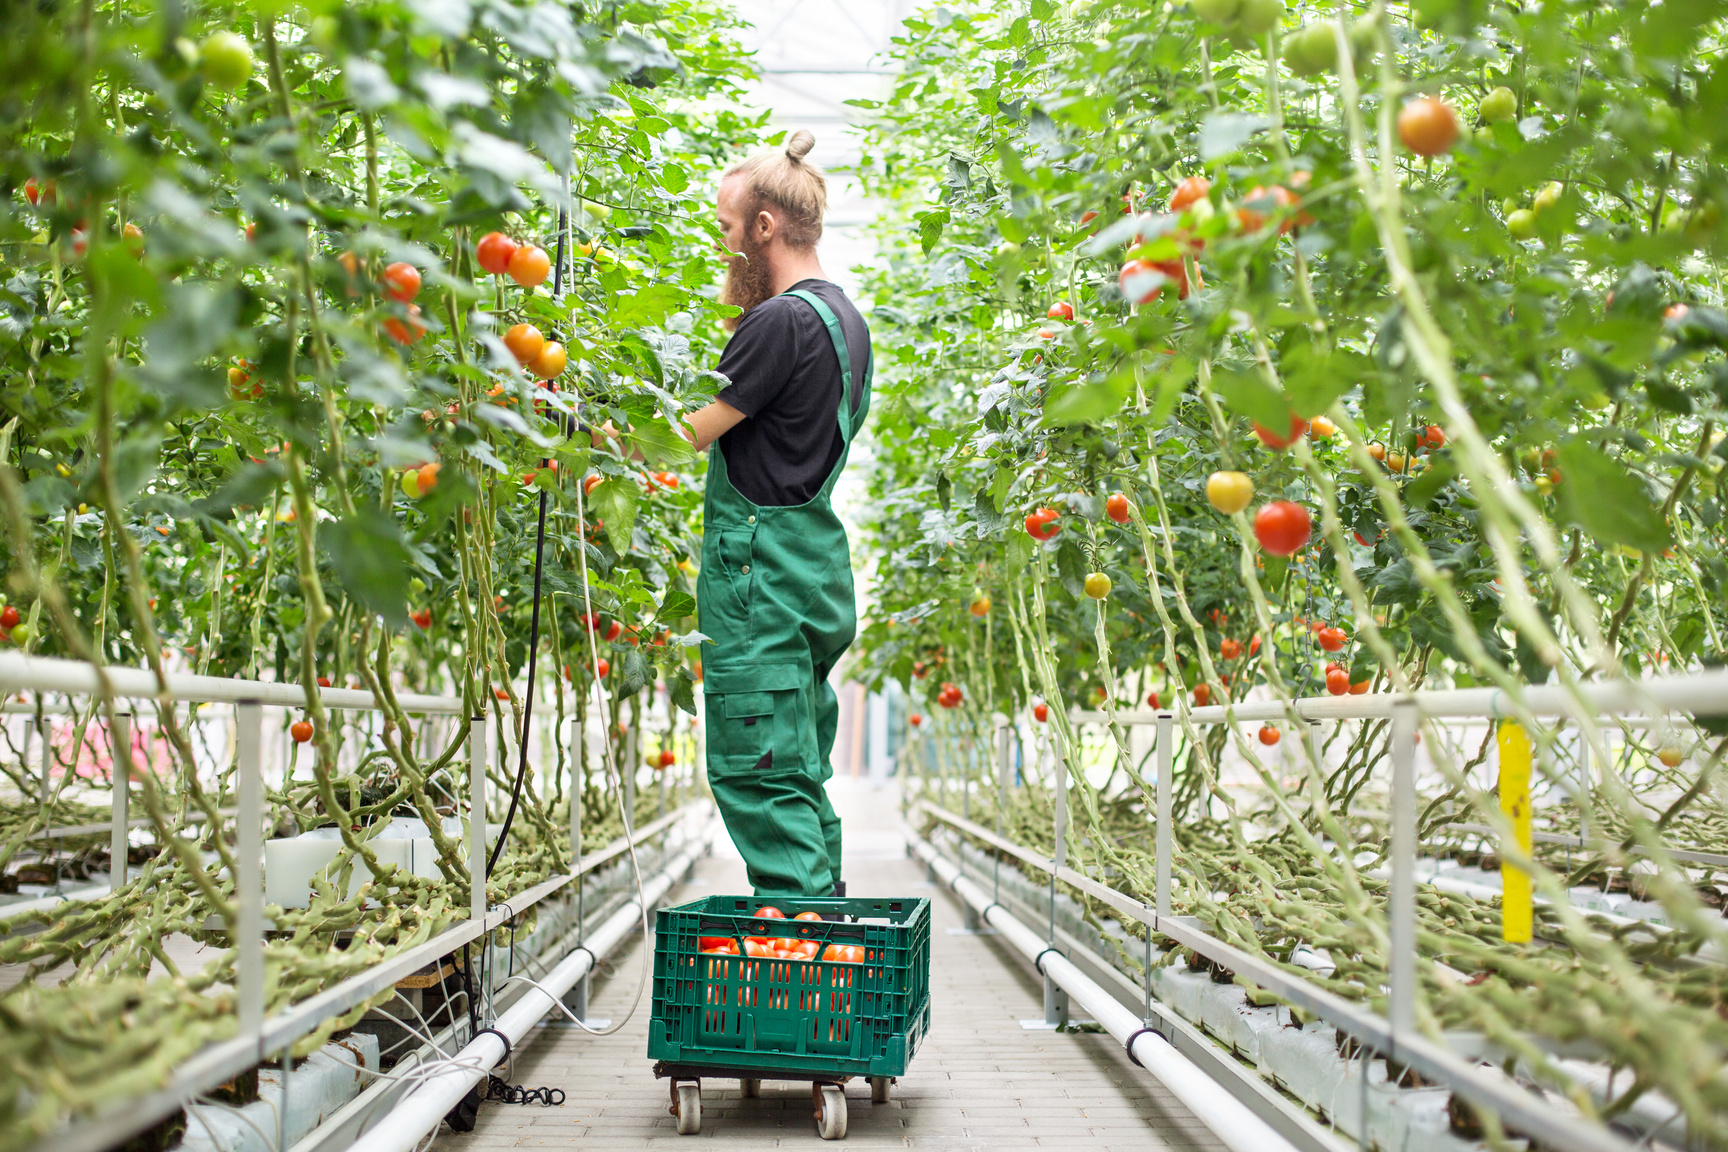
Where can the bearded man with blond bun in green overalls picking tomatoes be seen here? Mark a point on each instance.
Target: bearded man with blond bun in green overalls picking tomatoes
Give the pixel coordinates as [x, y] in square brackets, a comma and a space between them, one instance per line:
[775, 592]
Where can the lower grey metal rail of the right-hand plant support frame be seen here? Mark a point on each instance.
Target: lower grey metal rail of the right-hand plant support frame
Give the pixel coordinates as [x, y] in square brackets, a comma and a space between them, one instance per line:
[1518, 1108]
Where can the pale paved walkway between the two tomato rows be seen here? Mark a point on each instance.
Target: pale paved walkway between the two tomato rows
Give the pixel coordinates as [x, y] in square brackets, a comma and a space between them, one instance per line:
[979, 1080]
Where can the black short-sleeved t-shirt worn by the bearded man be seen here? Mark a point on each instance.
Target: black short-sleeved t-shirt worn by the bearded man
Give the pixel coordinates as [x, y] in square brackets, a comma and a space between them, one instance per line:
[785, 379]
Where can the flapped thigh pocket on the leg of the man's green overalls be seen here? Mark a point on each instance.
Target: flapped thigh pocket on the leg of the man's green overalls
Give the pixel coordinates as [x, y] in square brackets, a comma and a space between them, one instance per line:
[754, 721]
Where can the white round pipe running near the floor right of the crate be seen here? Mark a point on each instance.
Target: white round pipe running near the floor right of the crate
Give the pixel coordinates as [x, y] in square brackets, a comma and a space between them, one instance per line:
[1212, 1105]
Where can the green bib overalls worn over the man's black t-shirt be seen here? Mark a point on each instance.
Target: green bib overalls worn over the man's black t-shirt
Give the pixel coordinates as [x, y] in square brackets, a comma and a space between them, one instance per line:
[775, 595]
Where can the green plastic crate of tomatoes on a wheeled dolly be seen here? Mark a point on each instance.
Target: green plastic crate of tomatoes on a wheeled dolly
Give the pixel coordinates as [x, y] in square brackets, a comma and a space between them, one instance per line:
[792, 1016]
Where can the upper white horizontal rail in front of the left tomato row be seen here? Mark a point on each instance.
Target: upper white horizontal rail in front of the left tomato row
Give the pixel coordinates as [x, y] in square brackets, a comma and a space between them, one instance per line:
[77, 678]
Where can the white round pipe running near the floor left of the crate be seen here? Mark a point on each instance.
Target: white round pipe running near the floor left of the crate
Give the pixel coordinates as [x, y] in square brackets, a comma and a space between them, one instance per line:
[428, 1105]
